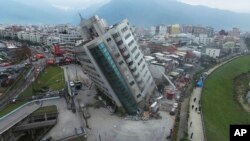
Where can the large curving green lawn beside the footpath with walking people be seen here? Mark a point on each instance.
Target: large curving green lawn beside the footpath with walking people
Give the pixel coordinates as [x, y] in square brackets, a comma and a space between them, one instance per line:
[218, 105]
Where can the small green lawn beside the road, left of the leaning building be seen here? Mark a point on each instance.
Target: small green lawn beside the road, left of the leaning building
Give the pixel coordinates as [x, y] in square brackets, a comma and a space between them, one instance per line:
[52, 77]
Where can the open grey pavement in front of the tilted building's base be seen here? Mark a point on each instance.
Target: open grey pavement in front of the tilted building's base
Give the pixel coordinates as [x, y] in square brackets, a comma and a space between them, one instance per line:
[110, 127]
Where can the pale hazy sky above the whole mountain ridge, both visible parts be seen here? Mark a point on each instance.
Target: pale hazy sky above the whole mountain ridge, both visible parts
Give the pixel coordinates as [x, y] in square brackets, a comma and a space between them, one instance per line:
[233, 5]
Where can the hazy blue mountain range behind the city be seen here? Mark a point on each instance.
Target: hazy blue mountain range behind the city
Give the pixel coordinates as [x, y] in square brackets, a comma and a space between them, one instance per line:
[139, 12]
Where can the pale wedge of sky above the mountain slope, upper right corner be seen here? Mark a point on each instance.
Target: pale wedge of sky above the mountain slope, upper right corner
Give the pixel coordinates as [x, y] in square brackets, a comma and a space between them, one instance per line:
[233, 5]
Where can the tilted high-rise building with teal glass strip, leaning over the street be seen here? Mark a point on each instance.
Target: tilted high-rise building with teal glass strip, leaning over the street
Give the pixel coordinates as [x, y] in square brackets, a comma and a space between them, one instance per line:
[113, 61]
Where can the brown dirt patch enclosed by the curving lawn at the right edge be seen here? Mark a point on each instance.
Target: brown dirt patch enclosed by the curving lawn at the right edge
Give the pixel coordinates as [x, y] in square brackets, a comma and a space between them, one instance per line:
[241, 88]
